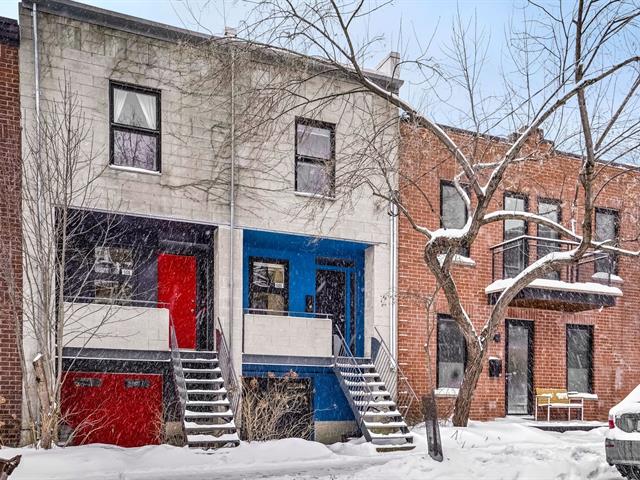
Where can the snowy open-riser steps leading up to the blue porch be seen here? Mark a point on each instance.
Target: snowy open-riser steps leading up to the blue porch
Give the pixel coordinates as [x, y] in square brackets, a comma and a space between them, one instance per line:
[372, 404]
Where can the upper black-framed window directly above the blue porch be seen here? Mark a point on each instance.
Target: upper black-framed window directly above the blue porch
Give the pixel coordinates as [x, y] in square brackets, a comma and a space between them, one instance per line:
[315, 157]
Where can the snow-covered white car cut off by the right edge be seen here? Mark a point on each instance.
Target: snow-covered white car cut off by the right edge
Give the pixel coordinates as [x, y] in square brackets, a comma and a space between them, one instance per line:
[622, 444]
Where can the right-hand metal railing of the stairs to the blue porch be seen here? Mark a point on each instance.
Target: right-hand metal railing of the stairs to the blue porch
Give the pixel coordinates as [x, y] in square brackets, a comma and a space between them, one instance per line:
[394, 379]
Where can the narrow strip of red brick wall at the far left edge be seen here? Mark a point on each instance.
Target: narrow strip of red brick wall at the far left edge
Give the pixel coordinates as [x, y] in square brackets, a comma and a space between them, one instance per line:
[10, 236]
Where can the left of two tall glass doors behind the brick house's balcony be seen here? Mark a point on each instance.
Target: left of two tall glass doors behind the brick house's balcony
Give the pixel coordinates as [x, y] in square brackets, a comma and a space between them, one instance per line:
[515, 254]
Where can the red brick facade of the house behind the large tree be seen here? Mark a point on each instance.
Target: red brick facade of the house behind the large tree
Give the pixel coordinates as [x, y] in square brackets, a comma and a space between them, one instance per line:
[551, 175]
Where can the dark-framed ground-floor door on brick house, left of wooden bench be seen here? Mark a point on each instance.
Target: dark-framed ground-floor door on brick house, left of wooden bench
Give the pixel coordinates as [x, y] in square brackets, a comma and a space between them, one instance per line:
[519, 371]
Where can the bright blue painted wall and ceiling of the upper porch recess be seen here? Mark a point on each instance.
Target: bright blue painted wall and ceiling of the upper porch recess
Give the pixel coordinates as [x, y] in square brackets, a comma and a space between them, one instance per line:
[301, 253]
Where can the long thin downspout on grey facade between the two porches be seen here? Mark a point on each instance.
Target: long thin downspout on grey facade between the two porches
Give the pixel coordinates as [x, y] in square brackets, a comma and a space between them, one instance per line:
[232, 189]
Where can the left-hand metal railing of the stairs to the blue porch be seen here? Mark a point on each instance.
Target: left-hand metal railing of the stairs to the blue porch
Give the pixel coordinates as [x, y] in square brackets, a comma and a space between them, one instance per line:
[359, 398]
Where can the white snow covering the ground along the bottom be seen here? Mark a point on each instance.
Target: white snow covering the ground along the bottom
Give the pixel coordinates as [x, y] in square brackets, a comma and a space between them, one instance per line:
[484, 451]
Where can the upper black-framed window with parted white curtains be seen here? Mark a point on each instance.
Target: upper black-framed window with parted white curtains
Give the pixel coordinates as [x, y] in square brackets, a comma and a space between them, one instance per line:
[135, 127]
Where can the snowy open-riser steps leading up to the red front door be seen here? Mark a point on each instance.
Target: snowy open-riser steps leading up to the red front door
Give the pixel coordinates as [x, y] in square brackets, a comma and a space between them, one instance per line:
[208, 418]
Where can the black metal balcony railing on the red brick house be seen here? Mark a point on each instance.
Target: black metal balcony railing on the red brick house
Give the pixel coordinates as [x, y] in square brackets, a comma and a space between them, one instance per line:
[511, 257]
